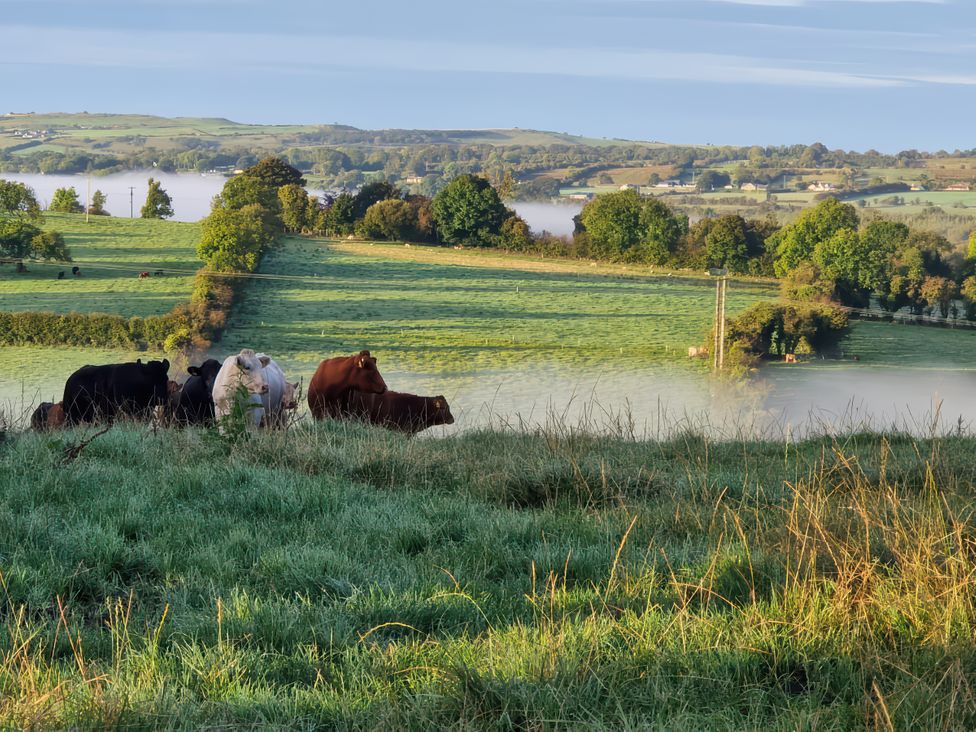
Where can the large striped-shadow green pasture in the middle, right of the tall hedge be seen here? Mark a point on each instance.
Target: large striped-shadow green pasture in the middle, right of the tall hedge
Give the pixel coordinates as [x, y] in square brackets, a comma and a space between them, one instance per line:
[441, 308]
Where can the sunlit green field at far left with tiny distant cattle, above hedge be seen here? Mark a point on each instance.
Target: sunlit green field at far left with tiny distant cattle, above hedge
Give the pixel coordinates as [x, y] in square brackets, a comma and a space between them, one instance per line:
[110, 252]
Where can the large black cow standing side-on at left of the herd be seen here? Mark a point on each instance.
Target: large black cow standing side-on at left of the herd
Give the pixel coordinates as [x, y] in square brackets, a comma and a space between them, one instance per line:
[94, 393]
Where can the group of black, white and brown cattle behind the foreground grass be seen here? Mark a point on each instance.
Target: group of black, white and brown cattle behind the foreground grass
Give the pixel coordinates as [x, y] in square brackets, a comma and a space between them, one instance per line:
[346, 387]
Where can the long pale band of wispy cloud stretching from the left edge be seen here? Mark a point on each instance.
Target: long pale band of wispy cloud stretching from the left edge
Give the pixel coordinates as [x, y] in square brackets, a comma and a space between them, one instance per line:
[35, 45]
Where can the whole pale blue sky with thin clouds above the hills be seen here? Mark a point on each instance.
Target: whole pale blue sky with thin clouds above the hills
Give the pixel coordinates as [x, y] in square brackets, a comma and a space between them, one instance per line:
[854, 74]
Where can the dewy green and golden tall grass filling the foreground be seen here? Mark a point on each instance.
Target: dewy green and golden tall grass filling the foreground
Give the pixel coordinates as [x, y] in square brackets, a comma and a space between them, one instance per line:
[343, 576]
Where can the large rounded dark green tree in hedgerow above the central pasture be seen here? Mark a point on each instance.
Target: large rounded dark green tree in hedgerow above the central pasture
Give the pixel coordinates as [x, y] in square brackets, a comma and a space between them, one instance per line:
[469, 211]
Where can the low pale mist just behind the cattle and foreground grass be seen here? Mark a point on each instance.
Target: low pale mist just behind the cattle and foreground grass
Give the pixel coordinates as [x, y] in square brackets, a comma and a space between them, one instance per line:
[783, 402]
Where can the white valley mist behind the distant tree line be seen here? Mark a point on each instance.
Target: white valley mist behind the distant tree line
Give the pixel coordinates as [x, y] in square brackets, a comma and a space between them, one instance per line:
[192, 193]
